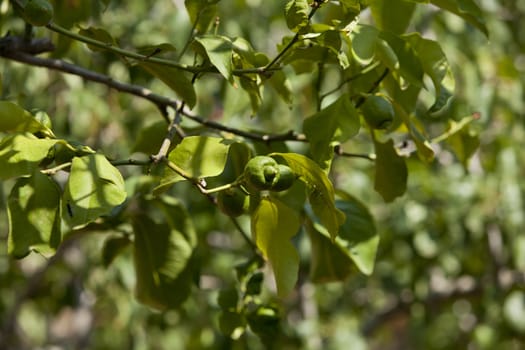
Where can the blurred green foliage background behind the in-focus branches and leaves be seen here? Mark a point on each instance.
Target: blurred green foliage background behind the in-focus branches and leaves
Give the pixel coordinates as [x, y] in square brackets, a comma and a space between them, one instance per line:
[450, 262]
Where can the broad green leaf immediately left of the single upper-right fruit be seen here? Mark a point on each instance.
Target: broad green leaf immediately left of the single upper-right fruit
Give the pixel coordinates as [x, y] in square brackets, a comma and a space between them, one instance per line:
[332, 125]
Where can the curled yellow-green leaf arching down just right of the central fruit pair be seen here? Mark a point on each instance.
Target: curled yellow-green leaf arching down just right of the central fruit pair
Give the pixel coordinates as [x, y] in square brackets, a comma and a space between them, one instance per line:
[319, 188]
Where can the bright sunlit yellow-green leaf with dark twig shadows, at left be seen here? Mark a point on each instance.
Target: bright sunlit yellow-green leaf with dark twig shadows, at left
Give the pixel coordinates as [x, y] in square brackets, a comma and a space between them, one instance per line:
[93, 189]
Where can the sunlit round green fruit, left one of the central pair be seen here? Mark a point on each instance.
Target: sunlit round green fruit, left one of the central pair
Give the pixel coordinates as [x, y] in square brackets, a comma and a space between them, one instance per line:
[260, 172]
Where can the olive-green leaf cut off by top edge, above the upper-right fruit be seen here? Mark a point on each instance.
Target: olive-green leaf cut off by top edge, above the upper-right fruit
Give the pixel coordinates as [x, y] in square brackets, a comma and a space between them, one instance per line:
[392, 15]
